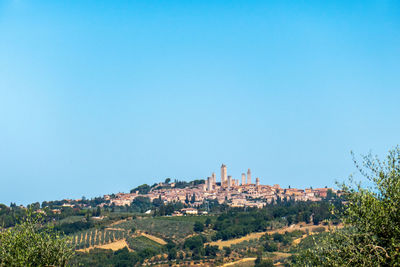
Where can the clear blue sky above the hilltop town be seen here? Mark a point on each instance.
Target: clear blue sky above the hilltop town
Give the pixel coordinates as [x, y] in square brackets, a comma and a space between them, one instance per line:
[98, 97]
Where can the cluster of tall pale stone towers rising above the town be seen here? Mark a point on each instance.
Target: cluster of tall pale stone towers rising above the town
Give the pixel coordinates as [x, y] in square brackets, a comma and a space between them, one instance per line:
[227, 181]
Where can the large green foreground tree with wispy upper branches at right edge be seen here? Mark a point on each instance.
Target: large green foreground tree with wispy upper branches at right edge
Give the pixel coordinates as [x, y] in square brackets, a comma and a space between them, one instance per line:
[372, 219]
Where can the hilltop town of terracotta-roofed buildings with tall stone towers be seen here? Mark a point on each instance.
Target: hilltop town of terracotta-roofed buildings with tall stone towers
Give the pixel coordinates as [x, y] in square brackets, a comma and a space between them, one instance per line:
[231, 191]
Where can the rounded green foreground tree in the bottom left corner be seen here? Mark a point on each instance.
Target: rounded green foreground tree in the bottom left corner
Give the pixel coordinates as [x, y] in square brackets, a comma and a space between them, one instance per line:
[31, 244]
